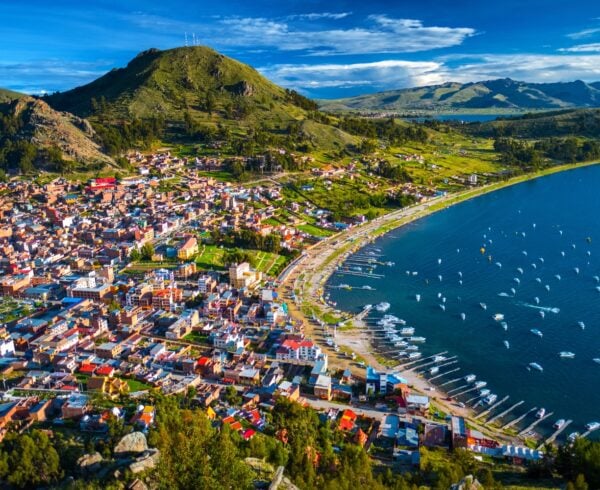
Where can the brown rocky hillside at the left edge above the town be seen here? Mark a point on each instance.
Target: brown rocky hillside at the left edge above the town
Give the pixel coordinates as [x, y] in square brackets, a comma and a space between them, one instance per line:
[35, 122]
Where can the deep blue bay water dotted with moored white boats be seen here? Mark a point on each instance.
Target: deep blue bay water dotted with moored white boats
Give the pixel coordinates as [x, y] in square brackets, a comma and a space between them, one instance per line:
[567, 202]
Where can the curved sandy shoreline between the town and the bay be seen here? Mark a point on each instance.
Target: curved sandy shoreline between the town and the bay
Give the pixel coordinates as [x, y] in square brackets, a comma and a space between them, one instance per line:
[309, 274]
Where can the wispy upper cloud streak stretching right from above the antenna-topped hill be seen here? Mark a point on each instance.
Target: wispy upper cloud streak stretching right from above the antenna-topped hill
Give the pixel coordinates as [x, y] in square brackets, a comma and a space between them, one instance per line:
[378, 34]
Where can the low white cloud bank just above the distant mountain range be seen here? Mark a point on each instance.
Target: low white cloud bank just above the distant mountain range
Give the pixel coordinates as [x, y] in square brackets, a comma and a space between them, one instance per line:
[395, 74]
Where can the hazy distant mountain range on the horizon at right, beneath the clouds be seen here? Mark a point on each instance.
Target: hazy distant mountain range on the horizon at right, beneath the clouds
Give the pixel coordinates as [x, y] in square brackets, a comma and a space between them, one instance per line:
[505, 94]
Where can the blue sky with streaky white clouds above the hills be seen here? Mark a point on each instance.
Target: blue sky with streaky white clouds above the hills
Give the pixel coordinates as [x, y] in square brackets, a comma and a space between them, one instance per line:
[323, 49]
